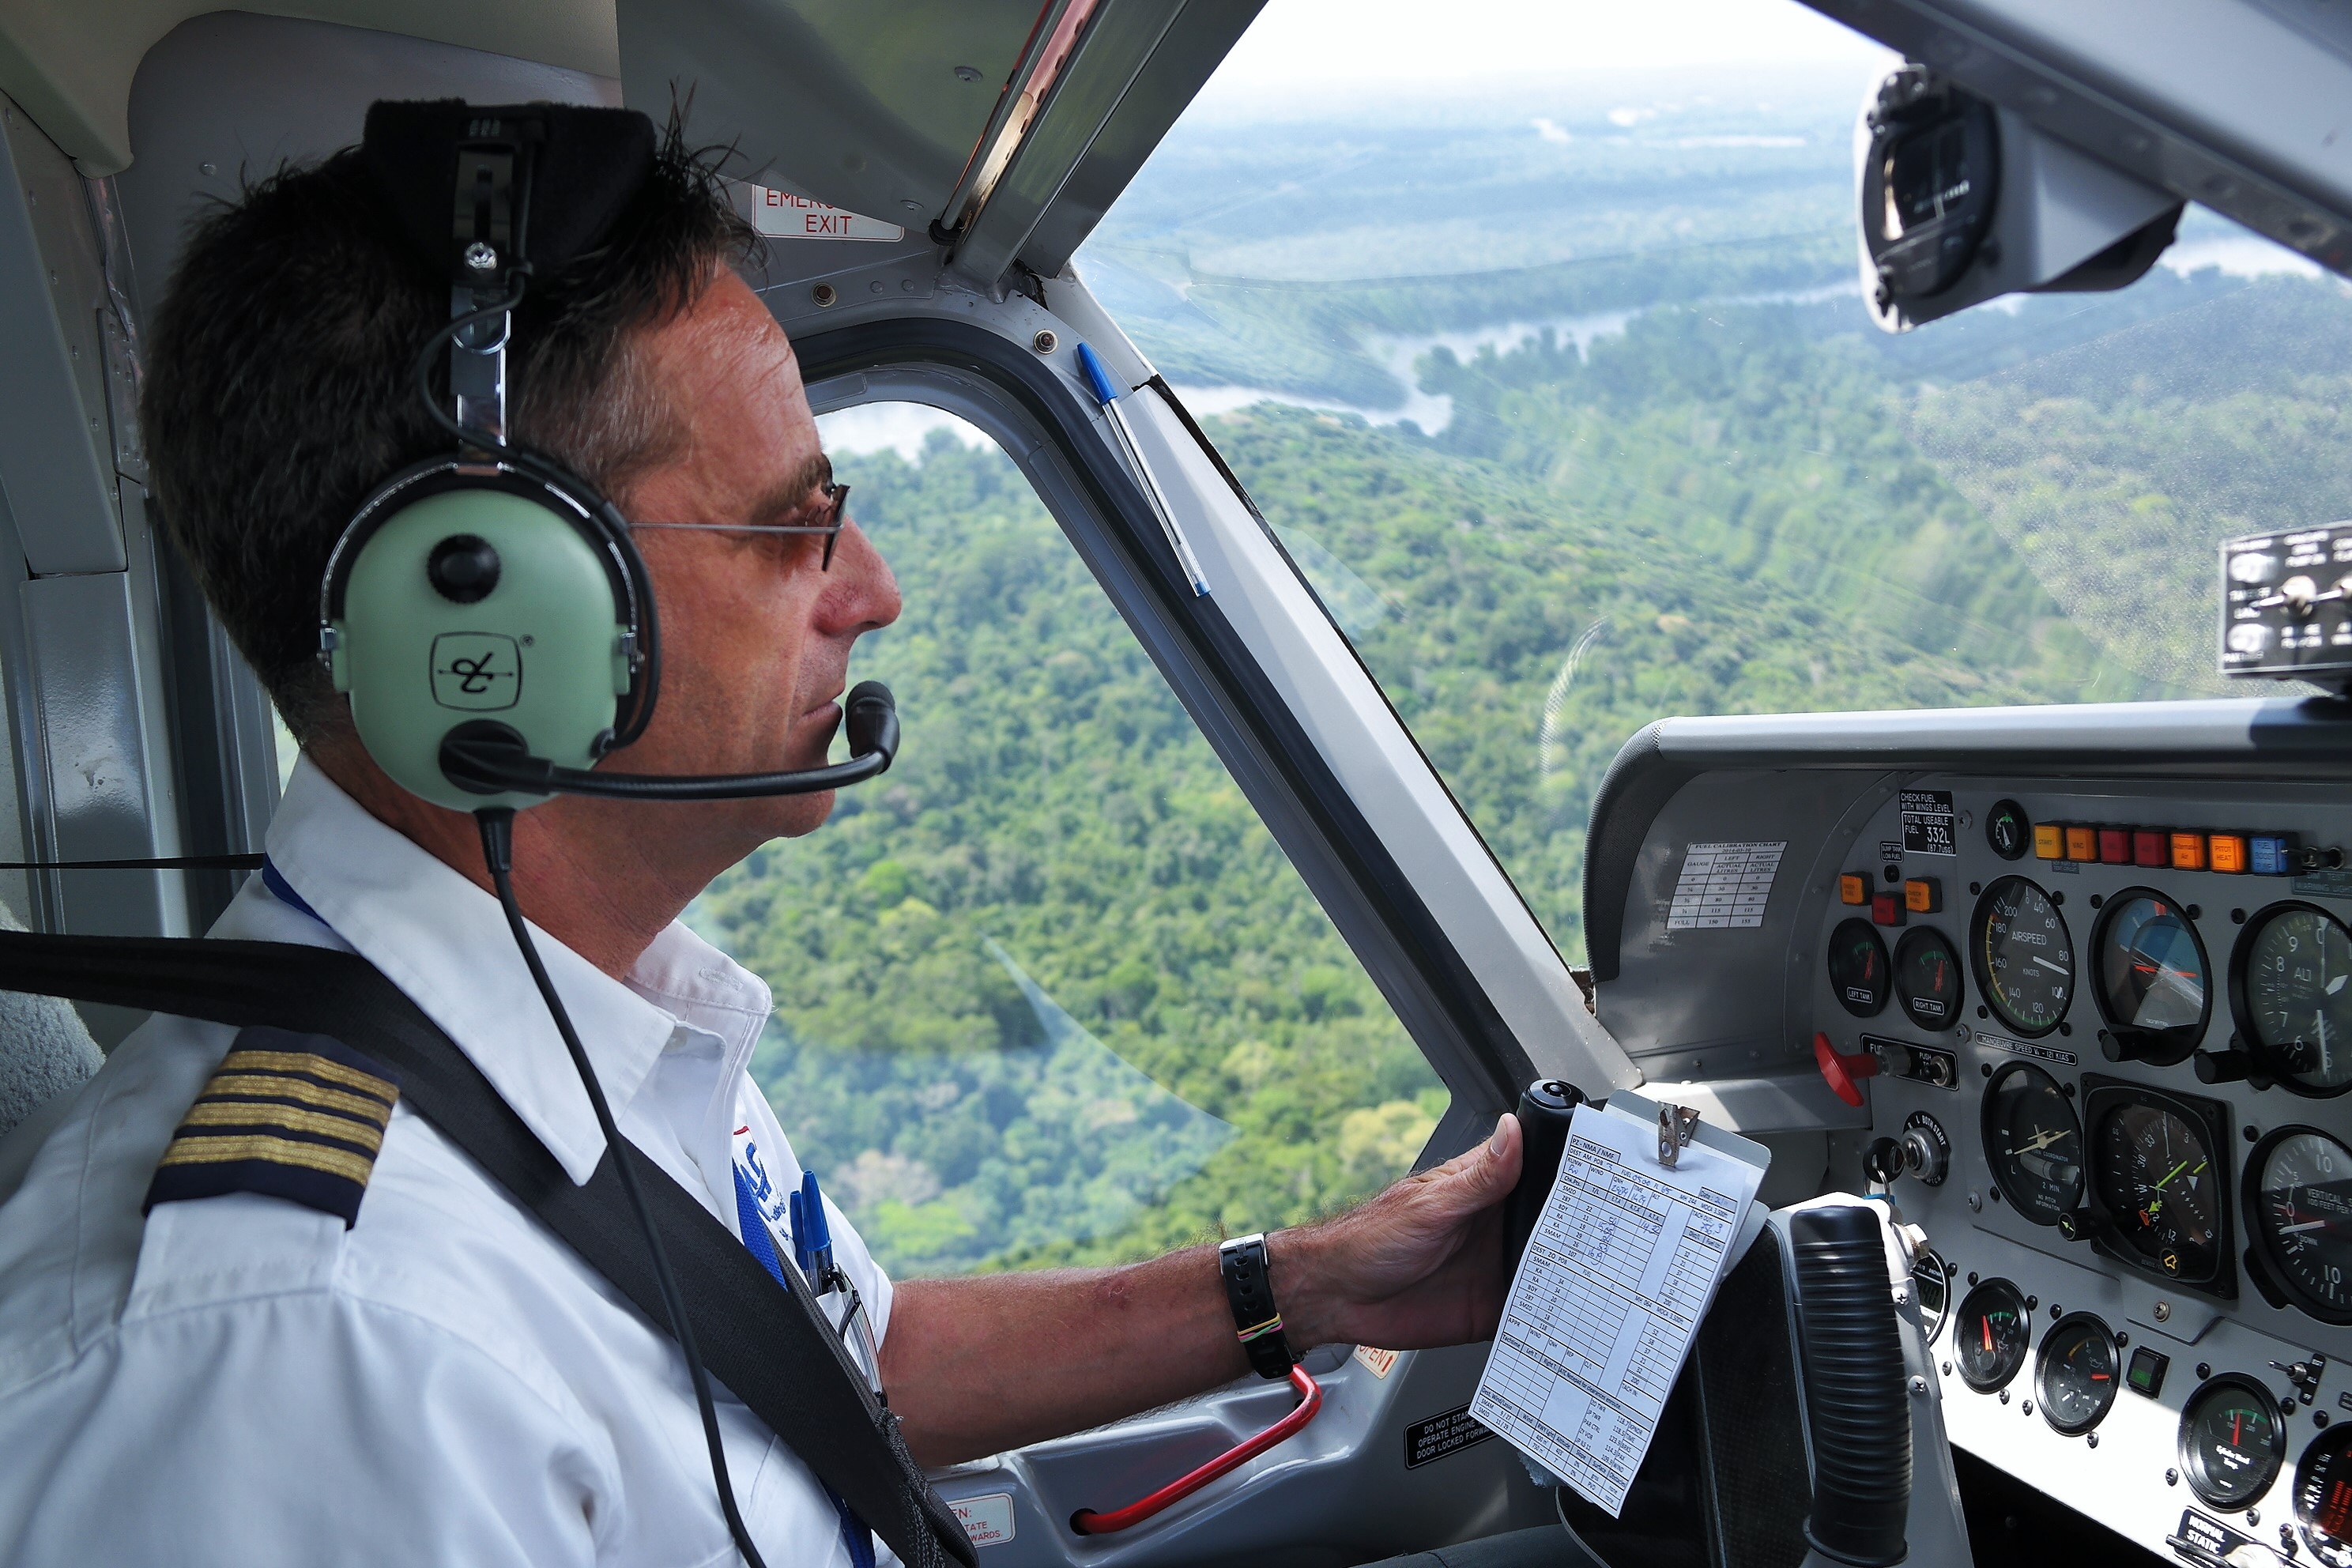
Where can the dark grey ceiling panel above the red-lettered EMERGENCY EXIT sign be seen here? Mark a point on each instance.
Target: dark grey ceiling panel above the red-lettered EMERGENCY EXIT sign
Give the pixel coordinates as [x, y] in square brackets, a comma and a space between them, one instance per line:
[874, 109]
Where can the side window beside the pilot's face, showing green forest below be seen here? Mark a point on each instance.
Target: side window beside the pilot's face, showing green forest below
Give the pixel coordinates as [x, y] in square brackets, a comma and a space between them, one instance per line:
[1050, 993]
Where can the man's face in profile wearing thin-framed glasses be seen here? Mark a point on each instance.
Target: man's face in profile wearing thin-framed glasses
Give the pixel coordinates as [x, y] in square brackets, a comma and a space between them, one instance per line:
[754, 636]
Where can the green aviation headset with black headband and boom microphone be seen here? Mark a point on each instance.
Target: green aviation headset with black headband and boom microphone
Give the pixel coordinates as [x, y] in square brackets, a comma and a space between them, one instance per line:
[486, 612]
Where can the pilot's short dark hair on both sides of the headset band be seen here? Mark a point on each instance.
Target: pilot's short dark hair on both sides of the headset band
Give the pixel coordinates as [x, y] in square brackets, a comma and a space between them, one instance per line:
[281, 380]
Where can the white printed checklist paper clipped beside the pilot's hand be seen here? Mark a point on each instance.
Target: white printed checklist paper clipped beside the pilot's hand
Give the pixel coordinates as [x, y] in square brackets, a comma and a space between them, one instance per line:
[1610, 1296]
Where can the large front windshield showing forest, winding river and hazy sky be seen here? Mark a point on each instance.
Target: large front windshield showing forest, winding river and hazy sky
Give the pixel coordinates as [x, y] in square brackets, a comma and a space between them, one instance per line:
[1551, 370]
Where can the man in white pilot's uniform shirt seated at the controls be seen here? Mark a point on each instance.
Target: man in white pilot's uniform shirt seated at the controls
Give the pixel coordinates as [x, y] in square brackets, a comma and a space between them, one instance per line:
[392, 1360]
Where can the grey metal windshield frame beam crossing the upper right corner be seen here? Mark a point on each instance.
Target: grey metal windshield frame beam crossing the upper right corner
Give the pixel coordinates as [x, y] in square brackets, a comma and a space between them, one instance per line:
[2236, 105]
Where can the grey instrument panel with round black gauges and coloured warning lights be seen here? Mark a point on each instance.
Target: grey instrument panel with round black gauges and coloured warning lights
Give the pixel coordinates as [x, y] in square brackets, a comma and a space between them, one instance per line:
[2104, 1045]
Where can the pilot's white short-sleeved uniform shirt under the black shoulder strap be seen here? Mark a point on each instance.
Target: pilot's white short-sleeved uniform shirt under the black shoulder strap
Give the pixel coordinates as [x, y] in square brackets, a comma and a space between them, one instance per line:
[243, 1381]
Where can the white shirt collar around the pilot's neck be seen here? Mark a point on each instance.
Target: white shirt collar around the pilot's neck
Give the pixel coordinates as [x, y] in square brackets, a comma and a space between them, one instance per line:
[446, 944]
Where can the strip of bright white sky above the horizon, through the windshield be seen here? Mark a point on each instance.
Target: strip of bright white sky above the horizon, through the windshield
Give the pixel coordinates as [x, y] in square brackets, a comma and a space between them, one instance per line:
[1337, 43]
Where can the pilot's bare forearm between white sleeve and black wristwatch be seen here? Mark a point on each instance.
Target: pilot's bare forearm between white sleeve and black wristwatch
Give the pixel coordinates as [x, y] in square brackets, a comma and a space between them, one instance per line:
[1003, 1360]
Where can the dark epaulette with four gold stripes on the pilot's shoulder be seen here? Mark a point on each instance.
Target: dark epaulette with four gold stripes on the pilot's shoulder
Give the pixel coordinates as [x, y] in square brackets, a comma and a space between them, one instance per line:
[288, 1115]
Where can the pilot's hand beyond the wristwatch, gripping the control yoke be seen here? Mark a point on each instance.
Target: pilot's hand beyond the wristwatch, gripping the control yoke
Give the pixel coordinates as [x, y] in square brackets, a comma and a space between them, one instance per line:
[1412, 1268]
